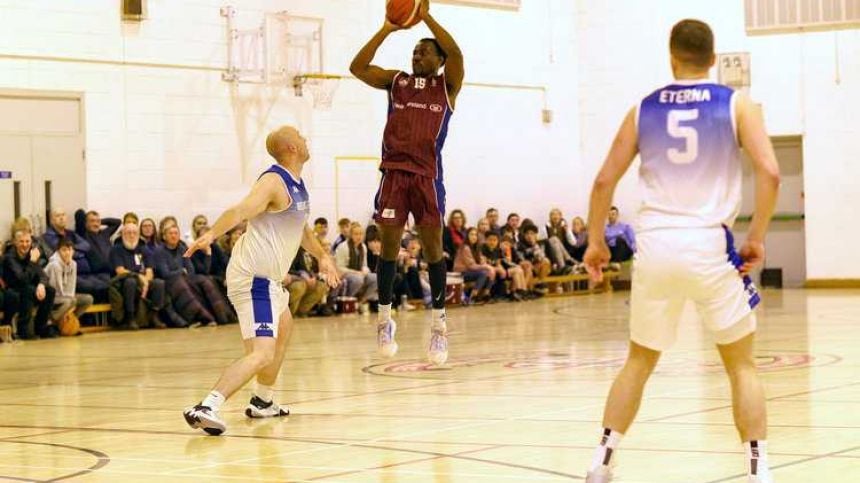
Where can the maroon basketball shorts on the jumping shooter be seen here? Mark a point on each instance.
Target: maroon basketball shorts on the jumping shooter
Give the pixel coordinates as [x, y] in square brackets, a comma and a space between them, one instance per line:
[401, 193]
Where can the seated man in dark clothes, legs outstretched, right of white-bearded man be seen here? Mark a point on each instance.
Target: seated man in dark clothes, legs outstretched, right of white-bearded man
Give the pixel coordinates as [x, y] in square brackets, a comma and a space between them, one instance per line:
[175, 270]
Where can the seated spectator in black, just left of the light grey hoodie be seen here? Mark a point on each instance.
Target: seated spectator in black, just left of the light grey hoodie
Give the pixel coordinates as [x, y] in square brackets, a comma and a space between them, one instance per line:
[29, 282]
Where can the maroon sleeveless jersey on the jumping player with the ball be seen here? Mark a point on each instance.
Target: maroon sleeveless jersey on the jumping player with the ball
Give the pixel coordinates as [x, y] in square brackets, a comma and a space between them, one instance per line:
[418, 115]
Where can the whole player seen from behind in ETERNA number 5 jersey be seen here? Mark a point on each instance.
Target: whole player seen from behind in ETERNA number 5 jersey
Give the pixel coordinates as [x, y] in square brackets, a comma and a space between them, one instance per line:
[689, 135]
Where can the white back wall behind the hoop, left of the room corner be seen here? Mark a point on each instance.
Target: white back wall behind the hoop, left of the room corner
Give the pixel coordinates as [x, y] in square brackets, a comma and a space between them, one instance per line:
[177, 139]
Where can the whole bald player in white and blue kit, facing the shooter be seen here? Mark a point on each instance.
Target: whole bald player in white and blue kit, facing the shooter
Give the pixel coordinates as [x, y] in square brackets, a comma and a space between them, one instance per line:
[277, 210]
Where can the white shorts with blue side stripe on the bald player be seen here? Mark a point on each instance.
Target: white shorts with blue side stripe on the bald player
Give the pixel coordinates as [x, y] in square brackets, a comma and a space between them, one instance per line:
[259, 303]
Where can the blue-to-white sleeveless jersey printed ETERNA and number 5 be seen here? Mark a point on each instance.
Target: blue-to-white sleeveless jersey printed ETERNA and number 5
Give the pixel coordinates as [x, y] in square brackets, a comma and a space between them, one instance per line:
[691, 162]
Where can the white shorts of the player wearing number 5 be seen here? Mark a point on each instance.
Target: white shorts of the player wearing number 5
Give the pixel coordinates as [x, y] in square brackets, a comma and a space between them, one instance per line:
[675, 265]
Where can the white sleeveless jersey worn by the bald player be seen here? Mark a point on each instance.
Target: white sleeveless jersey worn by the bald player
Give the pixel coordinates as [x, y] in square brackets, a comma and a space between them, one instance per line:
[268, 246]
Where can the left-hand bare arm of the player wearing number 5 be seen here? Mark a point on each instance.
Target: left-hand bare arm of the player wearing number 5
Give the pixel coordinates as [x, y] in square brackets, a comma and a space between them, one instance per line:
[621, 155]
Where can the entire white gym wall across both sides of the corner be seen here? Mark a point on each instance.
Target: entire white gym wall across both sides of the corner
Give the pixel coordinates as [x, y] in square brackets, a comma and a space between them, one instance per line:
[176, 139]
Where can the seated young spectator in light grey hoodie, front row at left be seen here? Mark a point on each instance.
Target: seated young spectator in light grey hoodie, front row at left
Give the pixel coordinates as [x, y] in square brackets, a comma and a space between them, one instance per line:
[62, 274]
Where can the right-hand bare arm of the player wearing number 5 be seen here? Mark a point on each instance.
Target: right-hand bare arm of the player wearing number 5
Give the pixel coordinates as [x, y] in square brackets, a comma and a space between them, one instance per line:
[755, 141]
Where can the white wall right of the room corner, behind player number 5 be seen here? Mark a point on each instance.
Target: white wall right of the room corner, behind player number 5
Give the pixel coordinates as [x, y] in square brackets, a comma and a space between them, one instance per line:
[809, 84]
